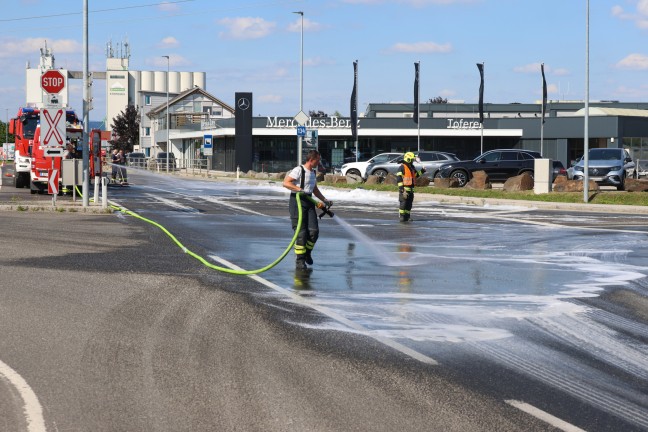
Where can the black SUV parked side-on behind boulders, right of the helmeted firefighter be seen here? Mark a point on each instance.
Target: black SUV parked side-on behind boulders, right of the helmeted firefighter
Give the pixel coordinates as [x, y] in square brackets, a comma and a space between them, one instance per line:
[498, 164]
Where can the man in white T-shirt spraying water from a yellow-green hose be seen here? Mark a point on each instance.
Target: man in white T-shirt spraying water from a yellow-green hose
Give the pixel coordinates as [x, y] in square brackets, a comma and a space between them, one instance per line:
[304, 179]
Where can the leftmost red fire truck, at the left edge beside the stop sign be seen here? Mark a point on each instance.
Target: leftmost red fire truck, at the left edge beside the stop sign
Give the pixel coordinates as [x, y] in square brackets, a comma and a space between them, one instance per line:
[23, 127]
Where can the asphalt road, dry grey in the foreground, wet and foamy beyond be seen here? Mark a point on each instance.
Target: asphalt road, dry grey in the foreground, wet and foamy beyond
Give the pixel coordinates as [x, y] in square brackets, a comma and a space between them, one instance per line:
[107, 326]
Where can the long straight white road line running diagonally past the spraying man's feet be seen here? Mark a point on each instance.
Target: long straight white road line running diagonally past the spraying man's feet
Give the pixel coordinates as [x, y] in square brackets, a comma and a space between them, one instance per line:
[333, 315]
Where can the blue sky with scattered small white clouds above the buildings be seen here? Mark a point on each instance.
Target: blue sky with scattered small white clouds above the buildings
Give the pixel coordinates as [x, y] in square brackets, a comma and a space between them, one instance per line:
[254, 45]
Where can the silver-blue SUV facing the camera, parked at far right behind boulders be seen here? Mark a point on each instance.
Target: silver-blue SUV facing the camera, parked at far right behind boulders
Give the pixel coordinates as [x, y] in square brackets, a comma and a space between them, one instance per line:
[607, 166]
